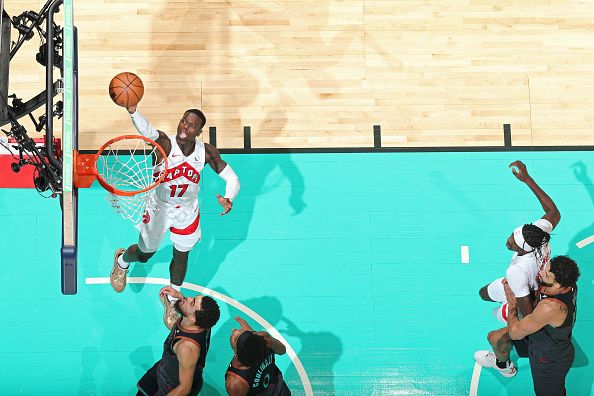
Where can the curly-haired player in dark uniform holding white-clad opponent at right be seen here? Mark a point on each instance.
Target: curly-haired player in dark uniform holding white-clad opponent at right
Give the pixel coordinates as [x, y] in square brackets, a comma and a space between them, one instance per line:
[544, 336]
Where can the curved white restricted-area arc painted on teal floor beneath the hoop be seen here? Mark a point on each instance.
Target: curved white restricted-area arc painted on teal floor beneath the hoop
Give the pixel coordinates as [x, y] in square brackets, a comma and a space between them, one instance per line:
[228, 300]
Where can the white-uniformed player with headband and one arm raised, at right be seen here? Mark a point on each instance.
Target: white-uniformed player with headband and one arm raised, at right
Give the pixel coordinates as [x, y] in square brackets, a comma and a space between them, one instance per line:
[530, 242]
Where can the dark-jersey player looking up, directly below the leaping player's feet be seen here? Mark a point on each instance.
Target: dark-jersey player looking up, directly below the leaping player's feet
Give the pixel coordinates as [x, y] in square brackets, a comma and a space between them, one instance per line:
[179, 372]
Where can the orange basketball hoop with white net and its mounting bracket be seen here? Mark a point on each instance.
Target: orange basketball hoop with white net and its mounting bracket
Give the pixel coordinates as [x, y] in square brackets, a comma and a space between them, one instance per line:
[128, 167]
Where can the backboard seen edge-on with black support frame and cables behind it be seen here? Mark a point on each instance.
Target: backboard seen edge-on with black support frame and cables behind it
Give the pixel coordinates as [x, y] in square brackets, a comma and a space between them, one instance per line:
[52, 163]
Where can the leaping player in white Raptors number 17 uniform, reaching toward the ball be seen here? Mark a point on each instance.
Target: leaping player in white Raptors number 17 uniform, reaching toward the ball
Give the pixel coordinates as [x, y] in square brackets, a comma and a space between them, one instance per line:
[174, 203]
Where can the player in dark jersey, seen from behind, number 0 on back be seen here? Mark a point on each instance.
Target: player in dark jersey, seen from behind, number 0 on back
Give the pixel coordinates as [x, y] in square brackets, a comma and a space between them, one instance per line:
[252, 370]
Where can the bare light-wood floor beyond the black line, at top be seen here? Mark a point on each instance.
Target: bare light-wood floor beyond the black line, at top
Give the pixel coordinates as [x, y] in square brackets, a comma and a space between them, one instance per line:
[322, 73]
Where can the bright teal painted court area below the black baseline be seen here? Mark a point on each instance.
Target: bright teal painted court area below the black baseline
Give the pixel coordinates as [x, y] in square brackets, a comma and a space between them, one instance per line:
[354, 258]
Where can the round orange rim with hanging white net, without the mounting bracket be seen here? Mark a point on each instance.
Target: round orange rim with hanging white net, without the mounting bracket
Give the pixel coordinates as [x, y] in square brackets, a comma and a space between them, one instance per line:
[130, 165]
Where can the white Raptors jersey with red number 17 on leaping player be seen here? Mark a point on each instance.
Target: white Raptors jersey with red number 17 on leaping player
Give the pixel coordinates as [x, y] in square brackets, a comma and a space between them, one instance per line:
[181, 183]
